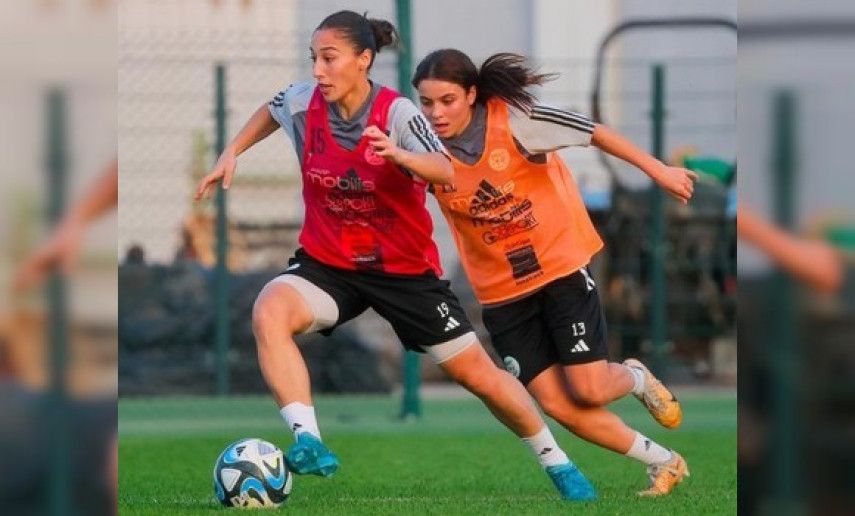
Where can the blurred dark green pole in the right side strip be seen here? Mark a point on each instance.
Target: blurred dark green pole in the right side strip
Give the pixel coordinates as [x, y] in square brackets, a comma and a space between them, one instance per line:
[785, 479]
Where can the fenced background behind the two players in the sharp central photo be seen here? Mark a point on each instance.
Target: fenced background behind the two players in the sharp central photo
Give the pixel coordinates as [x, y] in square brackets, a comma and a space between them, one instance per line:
[190, 69]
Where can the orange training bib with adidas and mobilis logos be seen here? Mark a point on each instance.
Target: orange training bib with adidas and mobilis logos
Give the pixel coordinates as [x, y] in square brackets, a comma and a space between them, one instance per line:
[518, 225]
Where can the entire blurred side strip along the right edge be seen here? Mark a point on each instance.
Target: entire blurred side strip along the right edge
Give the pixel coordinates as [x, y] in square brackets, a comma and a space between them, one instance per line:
[797, 243]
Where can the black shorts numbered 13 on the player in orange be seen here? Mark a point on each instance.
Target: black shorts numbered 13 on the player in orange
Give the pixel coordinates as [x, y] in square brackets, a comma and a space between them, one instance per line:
[561, 323]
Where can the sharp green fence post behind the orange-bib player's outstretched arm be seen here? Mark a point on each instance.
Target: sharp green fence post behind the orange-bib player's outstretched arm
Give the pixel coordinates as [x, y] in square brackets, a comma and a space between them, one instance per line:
[658, 300]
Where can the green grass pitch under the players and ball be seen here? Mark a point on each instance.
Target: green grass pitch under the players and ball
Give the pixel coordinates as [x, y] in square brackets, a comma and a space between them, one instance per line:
[456, 460]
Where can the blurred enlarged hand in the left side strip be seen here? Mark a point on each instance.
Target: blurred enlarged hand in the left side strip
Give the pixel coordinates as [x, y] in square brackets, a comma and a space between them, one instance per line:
[60, 251]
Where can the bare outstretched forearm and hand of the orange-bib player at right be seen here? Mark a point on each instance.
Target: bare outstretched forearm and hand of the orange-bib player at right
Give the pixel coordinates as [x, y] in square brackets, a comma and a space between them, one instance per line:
[677, 181]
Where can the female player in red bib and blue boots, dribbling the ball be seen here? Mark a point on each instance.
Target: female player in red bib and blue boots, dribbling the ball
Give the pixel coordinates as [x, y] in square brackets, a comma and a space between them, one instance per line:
[367, 155]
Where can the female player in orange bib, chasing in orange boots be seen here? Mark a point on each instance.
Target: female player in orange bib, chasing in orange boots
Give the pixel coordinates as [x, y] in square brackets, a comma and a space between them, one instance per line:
[525, 239]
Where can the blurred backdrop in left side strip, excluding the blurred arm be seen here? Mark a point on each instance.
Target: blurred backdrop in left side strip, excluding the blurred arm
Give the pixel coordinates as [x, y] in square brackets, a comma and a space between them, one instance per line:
[58, 352]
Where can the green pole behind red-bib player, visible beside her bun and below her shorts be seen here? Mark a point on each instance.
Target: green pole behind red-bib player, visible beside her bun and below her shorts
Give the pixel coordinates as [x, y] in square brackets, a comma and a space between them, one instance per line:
[410, 404]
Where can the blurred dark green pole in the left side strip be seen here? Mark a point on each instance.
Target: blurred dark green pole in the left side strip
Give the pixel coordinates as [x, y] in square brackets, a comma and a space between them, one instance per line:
[57, 174]
